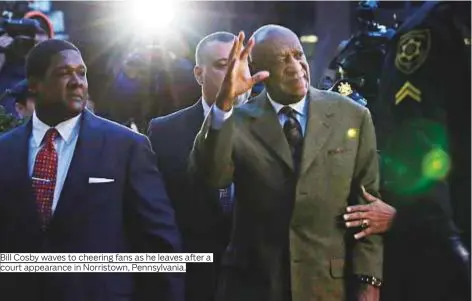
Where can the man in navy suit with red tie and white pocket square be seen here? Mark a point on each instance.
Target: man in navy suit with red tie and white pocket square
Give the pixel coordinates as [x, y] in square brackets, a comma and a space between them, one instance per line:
[71, 182]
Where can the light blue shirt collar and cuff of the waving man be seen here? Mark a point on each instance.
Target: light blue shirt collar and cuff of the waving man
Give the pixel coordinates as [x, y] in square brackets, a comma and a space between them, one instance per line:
[301, 108]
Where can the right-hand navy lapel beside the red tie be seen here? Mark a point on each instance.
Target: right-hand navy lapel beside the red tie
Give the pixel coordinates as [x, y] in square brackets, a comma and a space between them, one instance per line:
[87, 154]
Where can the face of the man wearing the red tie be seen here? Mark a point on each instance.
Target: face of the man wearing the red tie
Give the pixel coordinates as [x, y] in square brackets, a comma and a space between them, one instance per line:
[64, 86]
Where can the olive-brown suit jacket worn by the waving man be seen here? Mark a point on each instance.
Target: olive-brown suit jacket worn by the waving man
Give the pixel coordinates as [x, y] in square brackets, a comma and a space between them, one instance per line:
[277, 210]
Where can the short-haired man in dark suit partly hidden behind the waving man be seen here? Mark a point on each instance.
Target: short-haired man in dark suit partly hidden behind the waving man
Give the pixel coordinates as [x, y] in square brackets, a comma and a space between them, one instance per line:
[203, 213]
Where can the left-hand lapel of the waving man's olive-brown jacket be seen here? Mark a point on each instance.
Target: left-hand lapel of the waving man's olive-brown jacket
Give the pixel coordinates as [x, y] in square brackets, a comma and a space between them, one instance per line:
[267, 128]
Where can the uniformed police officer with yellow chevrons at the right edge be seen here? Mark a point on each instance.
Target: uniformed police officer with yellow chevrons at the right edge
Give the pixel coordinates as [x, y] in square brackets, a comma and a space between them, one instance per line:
[423, 125]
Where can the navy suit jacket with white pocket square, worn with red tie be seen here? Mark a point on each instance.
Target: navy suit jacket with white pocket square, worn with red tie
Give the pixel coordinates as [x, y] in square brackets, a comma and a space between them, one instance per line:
[131, 214]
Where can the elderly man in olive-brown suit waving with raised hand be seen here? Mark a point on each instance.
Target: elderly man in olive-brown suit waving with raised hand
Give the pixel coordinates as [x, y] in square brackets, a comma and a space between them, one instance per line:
[297, 157]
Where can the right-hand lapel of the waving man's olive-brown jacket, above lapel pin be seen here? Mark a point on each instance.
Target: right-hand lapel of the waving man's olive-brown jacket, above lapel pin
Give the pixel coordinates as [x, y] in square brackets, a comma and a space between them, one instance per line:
[318, 128]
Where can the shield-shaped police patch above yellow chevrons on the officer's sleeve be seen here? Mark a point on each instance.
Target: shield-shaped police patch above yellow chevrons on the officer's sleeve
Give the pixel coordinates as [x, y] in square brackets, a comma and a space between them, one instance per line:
[412, 50]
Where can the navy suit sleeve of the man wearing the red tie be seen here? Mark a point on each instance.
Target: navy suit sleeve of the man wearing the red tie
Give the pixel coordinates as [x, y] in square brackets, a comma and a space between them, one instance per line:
[155, 229]
